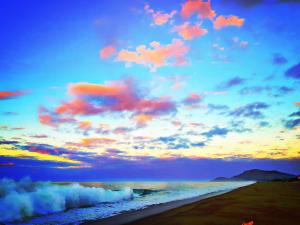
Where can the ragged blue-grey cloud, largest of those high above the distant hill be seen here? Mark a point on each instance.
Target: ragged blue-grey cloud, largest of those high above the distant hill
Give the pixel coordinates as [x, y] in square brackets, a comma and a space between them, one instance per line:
[251, 110]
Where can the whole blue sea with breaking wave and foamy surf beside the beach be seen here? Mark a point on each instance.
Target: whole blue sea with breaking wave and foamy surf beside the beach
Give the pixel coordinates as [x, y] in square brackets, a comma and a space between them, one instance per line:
[46, 203]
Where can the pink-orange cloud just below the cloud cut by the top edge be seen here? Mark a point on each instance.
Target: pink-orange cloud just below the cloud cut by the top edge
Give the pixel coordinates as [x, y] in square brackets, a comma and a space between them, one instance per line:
[189, 32]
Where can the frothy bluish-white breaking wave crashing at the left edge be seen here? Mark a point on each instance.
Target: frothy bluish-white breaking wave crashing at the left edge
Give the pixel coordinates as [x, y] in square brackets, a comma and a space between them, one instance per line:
[20, 200]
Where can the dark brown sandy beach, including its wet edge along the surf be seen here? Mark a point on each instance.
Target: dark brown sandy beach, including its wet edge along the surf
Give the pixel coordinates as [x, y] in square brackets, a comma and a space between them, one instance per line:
[266, 203]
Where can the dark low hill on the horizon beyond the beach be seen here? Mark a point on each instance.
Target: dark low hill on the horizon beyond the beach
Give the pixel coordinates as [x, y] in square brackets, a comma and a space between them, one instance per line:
[258, 175]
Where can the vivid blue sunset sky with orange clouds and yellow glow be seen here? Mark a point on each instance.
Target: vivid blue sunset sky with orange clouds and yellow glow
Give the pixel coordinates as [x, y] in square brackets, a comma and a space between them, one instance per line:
[118, 90]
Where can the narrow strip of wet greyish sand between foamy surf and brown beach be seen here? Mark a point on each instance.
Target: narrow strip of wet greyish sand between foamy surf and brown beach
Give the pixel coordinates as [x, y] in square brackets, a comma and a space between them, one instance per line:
[138, 214]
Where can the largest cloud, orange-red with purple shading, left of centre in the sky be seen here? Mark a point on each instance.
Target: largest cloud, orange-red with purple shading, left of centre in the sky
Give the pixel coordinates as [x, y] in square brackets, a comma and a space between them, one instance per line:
[112, 97]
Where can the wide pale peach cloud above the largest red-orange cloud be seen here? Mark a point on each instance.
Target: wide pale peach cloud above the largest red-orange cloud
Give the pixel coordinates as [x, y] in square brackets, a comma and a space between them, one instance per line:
[156, 55]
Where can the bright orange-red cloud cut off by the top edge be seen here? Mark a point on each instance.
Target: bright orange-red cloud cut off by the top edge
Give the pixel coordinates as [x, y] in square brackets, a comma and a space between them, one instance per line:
[199, 7]
